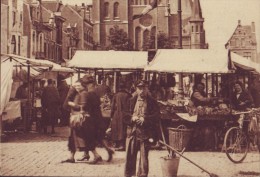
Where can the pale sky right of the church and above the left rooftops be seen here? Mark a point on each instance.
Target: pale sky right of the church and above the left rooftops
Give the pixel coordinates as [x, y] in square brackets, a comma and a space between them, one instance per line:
[221, 18]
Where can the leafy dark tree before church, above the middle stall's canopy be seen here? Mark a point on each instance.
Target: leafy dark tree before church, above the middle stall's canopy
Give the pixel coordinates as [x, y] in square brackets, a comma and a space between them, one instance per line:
[119, 40]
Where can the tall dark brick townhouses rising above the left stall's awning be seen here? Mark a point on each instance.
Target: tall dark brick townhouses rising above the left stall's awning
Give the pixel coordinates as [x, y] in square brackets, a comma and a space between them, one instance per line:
[44, 31]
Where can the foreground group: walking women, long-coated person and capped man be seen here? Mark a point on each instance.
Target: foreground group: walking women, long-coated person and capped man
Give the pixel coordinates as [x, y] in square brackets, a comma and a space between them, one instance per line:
[132, 117]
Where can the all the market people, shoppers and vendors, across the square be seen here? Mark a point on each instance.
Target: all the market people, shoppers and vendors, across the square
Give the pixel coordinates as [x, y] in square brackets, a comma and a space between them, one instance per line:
[134, 116]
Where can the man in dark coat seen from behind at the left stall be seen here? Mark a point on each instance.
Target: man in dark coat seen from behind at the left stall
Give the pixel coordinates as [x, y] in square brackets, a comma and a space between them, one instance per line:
[50, 101]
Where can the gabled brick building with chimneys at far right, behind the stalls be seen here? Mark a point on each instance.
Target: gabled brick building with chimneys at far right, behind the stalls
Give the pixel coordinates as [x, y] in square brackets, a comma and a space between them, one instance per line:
[243, 41]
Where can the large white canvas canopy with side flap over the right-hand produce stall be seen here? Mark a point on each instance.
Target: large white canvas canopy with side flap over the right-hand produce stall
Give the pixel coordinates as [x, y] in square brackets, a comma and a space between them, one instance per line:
[196, 61]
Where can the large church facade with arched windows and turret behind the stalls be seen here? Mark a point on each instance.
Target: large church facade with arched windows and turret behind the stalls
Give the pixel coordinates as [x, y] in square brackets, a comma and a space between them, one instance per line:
[162, 19]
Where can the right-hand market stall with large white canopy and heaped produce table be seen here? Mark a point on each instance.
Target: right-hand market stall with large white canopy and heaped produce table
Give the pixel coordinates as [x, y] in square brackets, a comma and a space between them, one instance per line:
[211, 67]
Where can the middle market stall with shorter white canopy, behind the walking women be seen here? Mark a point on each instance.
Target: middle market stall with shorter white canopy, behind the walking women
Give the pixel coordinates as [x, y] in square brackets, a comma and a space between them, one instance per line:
[112, 66]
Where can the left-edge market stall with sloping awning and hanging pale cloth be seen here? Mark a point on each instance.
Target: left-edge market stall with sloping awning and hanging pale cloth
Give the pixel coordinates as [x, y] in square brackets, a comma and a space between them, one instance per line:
[25, 73]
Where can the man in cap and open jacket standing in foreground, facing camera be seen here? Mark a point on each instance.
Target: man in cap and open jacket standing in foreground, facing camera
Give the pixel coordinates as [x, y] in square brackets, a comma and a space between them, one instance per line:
[145, 114]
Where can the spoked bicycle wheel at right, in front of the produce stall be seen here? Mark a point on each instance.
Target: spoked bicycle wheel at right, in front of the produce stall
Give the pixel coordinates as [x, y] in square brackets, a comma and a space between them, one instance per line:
[236, 144]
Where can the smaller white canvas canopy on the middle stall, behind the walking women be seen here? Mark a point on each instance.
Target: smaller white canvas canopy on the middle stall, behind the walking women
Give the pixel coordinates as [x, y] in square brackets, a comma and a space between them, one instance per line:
[108, 60]
